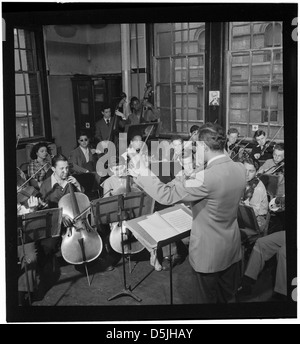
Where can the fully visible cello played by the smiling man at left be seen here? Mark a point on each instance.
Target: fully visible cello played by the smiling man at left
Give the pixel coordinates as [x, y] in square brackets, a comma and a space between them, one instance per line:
[81, 243]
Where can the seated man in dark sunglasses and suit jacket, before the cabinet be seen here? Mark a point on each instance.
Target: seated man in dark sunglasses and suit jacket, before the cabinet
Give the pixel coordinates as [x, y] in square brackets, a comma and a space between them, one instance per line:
[82, 162]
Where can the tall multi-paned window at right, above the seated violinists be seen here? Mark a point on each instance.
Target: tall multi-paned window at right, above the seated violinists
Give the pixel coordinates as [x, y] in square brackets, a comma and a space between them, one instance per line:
[256, 82]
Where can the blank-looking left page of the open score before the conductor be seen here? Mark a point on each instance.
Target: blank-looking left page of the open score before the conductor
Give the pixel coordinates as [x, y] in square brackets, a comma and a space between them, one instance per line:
[157, 227]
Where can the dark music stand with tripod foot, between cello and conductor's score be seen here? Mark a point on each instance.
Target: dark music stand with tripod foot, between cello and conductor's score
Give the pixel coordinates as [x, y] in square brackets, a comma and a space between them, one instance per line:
[117, 209]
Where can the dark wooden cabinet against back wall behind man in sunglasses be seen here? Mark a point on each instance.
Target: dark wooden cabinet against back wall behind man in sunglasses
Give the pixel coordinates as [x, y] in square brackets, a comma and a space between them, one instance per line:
[90, 93]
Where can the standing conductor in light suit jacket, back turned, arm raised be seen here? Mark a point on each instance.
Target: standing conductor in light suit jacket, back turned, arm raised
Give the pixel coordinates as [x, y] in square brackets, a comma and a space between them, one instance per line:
[215, 244]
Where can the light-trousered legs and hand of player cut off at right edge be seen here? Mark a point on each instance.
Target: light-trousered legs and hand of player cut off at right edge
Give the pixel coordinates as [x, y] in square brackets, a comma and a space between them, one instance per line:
[264, 249]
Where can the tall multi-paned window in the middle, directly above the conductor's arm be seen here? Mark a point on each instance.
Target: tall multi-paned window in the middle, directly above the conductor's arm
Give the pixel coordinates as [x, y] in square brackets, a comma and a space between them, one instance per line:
[179, 75]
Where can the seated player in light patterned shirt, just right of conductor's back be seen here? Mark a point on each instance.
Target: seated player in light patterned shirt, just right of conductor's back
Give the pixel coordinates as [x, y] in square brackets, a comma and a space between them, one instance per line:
[255, 194]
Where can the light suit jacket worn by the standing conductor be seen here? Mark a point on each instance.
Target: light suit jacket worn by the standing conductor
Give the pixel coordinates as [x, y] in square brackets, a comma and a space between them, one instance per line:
[215, 242]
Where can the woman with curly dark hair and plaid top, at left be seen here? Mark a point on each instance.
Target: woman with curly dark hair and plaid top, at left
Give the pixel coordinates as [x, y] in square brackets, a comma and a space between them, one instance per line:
[40, 160]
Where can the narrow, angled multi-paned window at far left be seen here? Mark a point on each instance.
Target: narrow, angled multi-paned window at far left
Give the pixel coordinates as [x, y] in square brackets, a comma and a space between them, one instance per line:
[28, 86]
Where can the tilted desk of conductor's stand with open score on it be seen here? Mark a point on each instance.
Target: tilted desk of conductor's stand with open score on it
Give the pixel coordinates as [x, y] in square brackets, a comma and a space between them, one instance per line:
[163, 227]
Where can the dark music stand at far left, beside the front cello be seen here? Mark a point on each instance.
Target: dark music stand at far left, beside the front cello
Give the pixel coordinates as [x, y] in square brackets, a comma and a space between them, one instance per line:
[35, 226]
